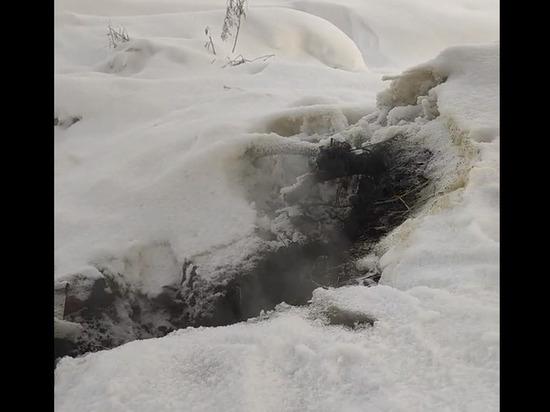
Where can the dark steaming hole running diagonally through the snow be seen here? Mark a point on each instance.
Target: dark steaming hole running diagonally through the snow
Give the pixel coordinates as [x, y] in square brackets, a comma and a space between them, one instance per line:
[321, 214]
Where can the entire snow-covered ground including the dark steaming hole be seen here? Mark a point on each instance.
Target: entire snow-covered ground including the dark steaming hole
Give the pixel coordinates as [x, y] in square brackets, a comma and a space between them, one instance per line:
[200, 260]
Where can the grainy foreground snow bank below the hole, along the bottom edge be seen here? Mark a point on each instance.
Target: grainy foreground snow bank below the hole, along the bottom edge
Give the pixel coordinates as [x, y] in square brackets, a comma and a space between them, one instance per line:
[424, 353]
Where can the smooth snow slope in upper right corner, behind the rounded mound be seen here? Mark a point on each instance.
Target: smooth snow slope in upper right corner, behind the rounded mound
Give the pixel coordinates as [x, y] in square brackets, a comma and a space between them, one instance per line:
[401, 33]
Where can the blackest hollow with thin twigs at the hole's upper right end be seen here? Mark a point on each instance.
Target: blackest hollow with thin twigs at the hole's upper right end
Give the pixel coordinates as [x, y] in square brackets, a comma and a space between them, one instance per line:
[391, 176]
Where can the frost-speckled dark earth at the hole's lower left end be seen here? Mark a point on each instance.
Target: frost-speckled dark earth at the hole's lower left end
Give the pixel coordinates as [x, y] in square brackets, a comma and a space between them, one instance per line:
[110, 315]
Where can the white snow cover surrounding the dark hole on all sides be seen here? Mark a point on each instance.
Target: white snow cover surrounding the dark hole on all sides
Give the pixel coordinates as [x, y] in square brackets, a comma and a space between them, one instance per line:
[156, 160]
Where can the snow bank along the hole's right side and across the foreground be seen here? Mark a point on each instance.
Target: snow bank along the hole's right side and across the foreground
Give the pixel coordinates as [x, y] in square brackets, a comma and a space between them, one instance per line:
[434, 342]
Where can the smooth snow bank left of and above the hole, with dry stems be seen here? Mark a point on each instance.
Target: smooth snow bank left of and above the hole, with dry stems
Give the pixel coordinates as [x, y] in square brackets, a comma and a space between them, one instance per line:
[131, 151]
